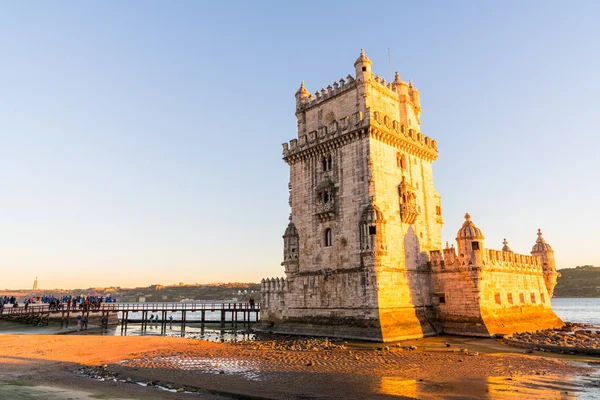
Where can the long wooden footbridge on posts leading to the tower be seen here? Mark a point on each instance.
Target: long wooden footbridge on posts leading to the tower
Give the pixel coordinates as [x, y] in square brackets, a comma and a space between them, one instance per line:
[240, 312]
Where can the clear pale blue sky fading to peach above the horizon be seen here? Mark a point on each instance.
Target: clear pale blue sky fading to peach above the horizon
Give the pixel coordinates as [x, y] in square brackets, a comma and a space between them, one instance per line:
[140, 142]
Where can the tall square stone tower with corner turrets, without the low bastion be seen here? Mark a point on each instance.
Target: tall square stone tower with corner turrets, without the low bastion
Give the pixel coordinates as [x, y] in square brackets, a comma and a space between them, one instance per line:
[364, 214]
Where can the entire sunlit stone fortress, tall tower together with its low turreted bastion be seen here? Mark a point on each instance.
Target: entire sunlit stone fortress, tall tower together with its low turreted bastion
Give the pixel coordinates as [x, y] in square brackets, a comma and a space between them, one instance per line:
[363, 253]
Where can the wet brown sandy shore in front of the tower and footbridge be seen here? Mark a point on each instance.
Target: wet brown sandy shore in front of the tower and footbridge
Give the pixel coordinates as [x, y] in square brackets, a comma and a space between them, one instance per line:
[266, 370]
